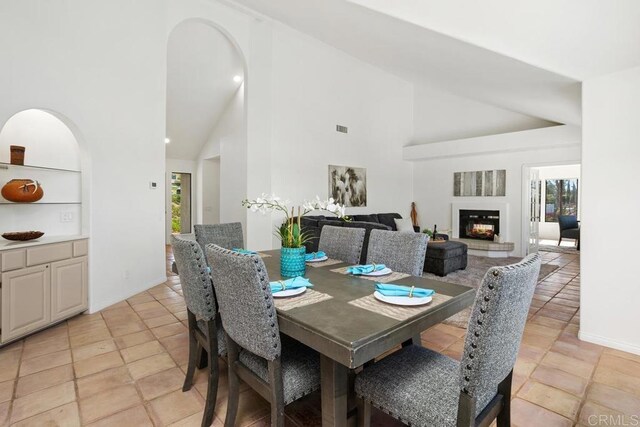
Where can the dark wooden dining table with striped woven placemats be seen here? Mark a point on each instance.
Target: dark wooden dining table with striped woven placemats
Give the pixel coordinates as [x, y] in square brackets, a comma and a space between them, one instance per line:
[340, 319]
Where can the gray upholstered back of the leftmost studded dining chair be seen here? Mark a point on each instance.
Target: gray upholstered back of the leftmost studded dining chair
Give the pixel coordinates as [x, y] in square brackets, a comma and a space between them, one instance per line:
[194, 277]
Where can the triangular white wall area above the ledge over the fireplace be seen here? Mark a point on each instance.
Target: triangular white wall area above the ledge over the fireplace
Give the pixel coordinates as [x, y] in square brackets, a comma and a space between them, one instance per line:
[442, 116]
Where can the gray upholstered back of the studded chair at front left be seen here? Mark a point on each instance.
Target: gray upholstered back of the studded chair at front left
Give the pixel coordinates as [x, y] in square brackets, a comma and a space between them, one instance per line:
[246, 305]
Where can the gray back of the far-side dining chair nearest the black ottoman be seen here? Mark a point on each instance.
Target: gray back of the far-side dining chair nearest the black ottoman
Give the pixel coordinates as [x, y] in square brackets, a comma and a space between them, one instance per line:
[401, 252]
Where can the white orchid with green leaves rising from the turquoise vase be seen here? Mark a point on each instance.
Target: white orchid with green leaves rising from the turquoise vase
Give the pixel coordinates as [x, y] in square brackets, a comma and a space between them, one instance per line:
[290, 232]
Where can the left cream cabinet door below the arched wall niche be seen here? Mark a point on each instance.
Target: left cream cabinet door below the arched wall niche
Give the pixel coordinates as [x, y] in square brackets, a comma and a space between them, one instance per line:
[26, 302]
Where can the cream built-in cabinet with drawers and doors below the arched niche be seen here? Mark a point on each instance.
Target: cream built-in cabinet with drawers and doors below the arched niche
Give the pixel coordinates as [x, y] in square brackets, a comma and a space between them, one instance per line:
[36, 296]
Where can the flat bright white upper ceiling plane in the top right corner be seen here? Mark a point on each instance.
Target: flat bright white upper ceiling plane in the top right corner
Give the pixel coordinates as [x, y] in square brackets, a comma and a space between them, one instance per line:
[575, 38]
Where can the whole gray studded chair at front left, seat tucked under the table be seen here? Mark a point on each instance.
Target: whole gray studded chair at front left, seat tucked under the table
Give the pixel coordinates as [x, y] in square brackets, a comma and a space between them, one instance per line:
[280, 369]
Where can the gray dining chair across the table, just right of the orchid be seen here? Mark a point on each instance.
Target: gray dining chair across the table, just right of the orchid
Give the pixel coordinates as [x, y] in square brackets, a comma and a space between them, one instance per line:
[342, 243]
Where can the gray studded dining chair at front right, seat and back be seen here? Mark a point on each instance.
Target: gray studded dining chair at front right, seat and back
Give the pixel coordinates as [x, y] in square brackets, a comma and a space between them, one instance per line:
[421, 387]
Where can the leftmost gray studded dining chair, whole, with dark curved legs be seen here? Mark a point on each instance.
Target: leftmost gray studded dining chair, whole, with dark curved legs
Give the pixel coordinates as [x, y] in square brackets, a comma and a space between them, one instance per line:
[203, 325]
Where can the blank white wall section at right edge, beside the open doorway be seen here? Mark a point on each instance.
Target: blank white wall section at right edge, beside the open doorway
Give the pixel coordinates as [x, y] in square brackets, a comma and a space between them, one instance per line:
[609, 293]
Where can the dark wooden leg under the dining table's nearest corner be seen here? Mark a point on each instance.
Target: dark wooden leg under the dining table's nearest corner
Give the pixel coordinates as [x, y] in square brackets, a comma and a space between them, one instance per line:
[335, 389]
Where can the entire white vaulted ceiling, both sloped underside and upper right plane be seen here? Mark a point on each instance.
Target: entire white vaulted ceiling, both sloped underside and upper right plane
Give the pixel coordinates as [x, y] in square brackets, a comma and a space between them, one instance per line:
[526, 57]
